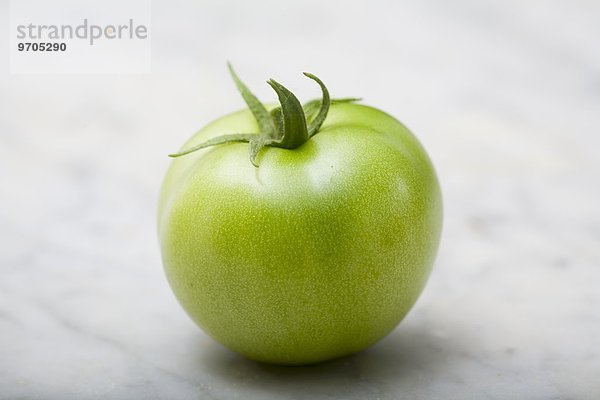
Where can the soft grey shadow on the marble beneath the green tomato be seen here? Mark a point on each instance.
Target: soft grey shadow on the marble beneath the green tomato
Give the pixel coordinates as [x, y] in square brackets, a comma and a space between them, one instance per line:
[411, 356]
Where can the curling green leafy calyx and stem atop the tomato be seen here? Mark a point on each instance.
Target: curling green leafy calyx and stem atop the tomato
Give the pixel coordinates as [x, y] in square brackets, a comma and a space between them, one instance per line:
[288, 126]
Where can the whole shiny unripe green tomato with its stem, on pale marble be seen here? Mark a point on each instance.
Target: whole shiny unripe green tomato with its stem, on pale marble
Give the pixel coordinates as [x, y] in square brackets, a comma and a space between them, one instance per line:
[314, 248]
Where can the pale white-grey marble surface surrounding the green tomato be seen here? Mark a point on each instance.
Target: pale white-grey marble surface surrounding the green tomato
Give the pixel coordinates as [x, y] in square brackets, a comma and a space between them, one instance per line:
[504, 95]
